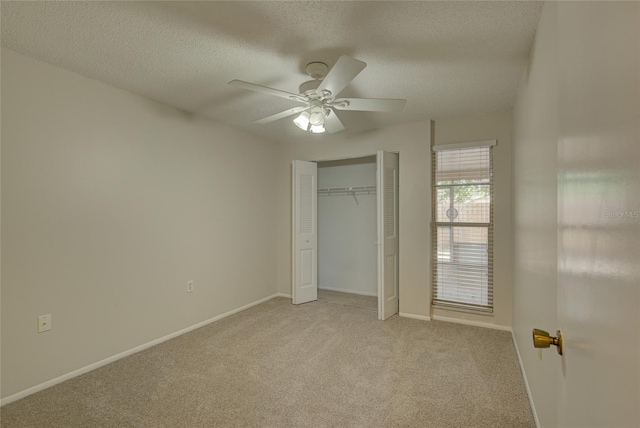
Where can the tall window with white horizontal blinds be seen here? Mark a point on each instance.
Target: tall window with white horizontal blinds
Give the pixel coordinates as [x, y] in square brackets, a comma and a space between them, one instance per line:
[462, 178]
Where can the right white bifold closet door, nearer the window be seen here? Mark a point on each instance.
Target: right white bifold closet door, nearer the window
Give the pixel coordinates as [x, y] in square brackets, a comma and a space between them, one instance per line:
[387, 234]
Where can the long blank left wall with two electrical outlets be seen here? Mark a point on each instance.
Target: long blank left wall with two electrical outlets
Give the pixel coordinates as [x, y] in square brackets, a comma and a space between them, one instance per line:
[111, 203]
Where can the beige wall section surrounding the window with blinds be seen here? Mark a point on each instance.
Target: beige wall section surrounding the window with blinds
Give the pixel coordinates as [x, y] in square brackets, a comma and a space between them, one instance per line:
[494, 126]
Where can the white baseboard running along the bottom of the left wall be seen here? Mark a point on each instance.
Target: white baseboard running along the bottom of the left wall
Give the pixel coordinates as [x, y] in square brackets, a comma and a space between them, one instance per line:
[98, 364]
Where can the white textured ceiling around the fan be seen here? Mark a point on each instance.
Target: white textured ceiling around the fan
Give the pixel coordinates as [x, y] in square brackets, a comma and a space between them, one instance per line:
[447, 59]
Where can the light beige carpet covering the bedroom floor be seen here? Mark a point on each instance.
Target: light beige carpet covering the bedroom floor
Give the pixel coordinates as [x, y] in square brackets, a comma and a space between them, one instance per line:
[312, 365]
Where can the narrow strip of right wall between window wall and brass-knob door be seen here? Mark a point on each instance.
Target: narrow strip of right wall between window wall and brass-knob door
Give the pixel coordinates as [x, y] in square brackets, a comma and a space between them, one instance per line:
[535, 183]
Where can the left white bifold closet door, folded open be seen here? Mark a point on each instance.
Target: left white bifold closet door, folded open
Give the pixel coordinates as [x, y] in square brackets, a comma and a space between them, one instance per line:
[305, 233]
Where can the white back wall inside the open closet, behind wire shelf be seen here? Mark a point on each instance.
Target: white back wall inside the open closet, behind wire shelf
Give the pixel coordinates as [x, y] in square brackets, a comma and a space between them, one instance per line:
[347, 230]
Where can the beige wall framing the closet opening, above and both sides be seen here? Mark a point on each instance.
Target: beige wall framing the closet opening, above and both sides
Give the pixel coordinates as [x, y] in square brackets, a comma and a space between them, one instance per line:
[412, 141]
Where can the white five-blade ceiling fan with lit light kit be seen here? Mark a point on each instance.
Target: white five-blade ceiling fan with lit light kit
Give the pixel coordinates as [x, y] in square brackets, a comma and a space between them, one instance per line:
[320, 97]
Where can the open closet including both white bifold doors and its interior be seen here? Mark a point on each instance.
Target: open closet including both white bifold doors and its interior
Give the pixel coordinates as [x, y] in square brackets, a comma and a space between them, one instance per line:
[344, 230]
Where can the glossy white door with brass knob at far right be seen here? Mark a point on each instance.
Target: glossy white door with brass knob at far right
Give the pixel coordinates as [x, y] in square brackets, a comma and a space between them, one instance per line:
[599, 214]
